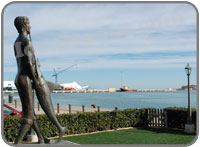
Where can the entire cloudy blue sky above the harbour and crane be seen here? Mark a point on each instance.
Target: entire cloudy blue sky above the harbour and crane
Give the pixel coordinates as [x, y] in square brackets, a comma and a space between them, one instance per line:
[148, 45]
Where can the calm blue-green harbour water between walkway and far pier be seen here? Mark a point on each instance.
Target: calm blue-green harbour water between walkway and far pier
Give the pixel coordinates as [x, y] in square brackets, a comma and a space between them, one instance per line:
[124, 100]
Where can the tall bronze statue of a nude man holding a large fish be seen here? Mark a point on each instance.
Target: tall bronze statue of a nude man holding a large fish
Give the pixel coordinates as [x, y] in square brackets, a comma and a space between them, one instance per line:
[28, 77]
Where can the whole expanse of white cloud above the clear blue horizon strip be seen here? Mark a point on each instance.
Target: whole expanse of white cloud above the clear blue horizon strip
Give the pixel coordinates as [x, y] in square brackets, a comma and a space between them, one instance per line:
[74, 33]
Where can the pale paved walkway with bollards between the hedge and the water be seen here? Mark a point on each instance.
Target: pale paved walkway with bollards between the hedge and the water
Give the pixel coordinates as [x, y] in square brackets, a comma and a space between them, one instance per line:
[62, 109]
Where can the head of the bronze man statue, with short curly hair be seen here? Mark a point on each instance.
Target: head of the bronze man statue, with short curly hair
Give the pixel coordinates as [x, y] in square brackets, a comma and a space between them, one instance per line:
[22, 24]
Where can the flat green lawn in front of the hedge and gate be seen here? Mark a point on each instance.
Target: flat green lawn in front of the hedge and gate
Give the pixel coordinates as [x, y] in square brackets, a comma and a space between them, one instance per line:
[135, 136]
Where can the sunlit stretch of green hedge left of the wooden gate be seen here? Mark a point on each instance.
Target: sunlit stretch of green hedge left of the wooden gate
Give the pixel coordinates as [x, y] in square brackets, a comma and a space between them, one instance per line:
[84, 122]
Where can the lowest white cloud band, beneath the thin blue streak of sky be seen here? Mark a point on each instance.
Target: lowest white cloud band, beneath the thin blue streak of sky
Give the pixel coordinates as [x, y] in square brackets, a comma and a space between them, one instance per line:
[110, 63]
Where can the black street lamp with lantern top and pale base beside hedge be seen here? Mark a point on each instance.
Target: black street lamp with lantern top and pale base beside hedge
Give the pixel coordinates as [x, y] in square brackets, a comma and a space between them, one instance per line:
[189, 127]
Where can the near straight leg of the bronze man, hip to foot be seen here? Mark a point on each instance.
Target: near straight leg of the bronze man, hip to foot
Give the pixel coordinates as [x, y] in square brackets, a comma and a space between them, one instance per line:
[24, 87]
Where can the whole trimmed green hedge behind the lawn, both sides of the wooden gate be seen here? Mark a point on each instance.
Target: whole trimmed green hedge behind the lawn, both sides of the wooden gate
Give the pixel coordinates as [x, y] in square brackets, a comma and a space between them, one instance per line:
[97, 121]
